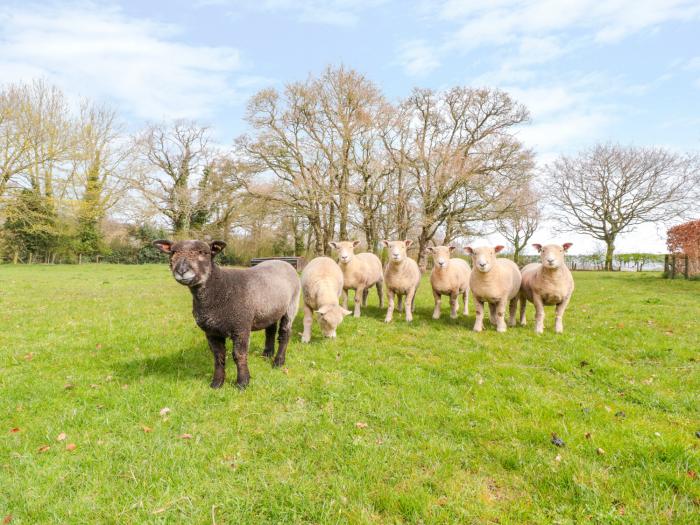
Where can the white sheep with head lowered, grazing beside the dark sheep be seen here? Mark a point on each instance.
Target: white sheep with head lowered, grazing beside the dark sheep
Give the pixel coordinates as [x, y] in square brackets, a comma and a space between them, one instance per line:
[321, 286]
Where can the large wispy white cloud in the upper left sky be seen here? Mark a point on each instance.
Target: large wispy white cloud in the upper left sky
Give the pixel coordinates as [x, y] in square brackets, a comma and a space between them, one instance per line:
[100, 52]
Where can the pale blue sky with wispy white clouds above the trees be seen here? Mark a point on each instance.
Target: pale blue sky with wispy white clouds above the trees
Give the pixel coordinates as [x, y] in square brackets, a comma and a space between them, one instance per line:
[621, 70]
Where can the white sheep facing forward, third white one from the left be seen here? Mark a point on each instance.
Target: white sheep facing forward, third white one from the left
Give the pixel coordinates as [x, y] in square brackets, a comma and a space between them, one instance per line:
[402, 277]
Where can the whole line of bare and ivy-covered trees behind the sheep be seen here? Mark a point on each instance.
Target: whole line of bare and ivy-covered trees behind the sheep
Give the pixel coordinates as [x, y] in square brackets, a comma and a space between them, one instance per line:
[322, 159]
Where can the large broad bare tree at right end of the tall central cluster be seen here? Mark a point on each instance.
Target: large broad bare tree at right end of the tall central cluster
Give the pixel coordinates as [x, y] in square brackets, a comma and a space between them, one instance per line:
[462, 157]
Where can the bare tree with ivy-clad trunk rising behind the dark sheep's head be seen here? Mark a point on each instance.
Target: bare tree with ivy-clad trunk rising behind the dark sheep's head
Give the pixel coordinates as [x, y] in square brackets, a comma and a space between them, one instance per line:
[175, 179]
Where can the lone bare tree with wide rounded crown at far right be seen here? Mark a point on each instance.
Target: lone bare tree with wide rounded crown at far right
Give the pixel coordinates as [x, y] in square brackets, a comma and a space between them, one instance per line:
[609, 189]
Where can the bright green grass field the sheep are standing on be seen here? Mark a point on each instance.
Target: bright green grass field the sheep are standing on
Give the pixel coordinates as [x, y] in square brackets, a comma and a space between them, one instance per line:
[427, 423]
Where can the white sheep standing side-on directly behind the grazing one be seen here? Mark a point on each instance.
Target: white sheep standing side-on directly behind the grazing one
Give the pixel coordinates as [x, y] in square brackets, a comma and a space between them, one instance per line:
[360, 272]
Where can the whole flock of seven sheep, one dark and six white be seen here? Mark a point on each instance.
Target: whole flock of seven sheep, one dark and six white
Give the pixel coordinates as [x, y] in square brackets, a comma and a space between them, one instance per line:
[232, 302]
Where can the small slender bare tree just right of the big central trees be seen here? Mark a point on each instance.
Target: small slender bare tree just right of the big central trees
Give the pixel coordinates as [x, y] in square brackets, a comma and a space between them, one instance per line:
[520, 223]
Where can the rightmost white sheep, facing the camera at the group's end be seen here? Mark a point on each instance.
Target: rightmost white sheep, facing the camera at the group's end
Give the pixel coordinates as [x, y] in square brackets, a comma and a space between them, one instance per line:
[547, 283]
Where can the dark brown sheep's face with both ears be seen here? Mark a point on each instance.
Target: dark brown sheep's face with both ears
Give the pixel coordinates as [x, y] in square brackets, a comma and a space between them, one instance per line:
[190, 261]
